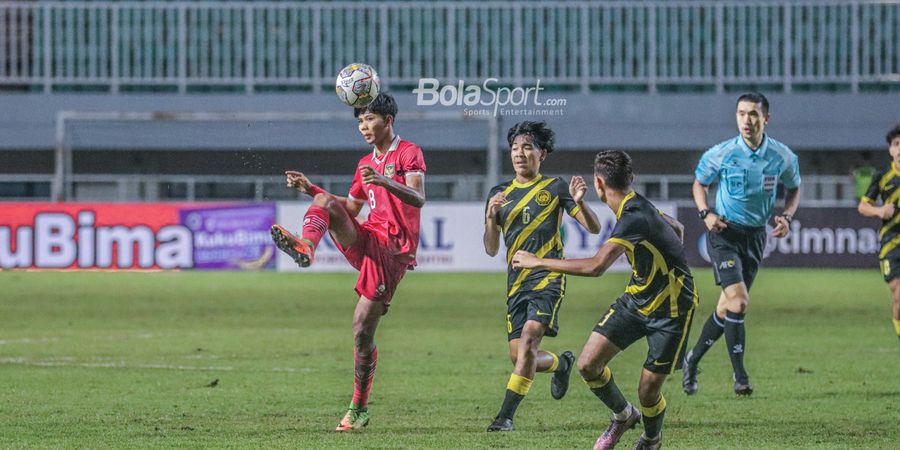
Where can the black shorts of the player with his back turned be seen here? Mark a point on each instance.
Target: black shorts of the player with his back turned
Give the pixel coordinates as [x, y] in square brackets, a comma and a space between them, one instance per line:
[667, 337]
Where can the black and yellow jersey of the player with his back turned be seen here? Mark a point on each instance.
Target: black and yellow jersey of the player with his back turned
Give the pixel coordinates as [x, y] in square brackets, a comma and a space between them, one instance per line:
[661, 284]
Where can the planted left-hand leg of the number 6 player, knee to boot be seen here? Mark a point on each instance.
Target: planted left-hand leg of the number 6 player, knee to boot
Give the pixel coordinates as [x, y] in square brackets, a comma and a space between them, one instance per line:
[522, 376]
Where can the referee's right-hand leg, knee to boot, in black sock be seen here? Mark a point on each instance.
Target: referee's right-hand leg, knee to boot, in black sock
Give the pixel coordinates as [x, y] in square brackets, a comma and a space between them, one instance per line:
[735, 306]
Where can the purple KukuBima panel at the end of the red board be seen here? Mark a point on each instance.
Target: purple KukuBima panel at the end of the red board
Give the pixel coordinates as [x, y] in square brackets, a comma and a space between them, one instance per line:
[232, 237]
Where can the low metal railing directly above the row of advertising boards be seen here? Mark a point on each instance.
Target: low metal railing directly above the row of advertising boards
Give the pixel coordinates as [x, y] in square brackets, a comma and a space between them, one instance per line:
[816, 190]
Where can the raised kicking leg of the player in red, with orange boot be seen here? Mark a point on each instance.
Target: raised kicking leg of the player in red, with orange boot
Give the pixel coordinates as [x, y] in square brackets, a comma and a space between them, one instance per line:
[325, 214]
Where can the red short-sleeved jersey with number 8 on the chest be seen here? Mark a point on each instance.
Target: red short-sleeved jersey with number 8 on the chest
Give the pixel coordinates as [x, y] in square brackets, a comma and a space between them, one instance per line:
[388, 214]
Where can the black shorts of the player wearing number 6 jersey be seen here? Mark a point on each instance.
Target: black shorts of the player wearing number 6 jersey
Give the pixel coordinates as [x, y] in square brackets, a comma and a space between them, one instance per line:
[541, 306]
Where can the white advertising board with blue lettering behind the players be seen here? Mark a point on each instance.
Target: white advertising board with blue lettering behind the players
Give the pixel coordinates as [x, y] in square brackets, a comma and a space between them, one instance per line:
[451, 239]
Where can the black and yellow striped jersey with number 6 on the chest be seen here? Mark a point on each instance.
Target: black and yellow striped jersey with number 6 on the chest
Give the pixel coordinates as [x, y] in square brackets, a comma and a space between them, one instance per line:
[530, 220]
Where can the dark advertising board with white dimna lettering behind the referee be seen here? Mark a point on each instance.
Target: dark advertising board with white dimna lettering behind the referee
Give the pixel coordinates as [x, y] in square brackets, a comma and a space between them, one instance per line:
[820, 237]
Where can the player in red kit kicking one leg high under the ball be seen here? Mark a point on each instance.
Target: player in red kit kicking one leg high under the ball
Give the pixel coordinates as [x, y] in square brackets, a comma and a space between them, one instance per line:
[391, 179]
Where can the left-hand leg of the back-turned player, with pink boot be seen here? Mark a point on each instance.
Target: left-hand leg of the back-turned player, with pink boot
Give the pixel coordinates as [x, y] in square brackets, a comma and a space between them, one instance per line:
[593, 366]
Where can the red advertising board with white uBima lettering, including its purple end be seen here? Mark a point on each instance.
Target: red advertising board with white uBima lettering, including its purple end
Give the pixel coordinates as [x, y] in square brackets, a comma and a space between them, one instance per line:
[142, 236]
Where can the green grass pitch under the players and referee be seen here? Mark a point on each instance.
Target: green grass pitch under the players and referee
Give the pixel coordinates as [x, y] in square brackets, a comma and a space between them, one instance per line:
[126, 360]
